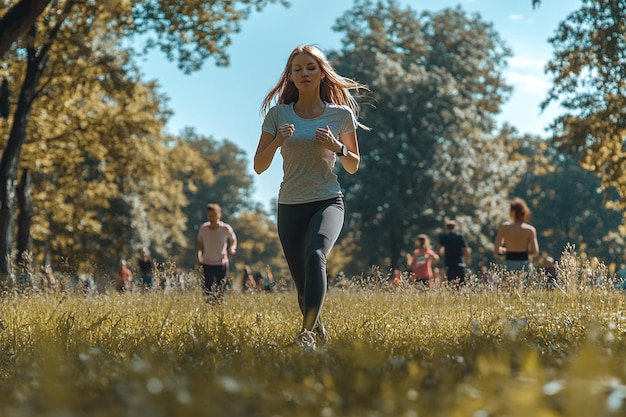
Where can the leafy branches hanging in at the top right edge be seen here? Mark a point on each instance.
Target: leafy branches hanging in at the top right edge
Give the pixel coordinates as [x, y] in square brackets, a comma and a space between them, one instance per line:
[588, 70]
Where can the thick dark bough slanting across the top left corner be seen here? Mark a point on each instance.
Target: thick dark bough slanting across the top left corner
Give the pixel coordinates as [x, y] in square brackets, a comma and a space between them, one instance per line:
[17, 20]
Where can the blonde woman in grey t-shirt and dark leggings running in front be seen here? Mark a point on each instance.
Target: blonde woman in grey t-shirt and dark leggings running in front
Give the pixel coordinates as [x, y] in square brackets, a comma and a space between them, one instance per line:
[313, 122]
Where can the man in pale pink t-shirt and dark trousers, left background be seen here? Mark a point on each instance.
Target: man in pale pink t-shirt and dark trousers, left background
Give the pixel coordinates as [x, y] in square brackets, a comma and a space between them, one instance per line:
[216, 241]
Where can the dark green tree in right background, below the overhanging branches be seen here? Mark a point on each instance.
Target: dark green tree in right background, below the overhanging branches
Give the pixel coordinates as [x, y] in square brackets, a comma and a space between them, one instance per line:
[548, 185]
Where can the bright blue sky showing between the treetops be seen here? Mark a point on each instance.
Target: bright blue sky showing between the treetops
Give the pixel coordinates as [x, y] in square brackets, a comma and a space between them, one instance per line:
[225, 102]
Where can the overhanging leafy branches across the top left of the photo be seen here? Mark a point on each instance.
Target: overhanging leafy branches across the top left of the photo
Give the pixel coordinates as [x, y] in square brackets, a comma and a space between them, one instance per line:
[189, 32]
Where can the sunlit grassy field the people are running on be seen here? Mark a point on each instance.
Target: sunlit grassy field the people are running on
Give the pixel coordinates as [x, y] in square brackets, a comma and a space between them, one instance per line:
[489, 351]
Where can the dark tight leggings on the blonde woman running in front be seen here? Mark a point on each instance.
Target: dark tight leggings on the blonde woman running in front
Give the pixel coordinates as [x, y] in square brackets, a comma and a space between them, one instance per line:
[307, 233]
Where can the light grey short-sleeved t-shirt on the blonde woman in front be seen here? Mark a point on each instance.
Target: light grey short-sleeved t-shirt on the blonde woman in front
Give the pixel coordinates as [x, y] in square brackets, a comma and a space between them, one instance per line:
[307, 166]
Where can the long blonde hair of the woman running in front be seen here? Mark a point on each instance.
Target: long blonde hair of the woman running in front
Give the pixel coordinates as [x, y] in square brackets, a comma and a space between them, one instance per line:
[334, 88]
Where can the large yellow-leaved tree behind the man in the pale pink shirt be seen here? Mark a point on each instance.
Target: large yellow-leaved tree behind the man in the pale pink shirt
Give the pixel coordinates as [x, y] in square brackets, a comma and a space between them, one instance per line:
[105, 181]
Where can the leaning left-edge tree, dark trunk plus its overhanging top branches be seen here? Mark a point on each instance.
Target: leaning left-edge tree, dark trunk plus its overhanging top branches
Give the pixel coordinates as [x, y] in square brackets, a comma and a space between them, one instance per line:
[188, 31]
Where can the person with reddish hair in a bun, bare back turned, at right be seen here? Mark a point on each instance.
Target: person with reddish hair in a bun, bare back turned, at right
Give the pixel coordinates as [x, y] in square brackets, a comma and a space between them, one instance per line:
[516, 239]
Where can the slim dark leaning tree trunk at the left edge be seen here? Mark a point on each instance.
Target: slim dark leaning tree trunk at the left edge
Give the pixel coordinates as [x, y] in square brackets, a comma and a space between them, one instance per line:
[11, 155]
